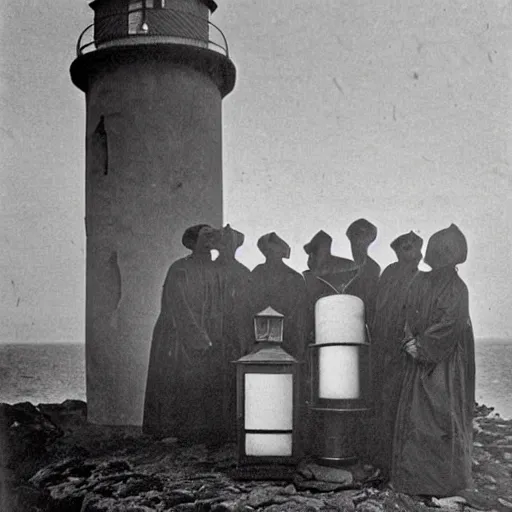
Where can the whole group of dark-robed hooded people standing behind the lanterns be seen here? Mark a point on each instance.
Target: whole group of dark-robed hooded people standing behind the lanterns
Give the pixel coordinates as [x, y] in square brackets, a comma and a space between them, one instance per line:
[423, 373]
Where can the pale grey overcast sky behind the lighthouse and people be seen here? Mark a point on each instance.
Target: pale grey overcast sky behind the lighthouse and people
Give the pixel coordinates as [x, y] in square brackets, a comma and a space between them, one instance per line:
[394, 110]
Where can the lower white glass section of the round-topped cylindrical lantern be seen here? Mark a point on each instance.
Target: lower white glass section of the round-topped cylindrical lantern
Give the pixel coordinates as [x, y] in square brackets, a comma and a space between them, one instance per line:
[338, 372]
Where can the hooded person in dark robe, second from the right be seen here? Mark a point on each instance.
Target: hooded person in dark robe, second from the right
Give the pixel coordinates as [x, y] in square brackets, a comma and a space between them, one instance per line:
[387, 333]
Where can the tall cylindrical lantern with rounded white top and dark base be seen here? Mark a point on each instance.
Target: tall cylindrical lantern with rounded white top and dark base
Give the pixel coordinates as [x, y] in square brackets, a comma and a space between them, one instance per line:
[340, 366]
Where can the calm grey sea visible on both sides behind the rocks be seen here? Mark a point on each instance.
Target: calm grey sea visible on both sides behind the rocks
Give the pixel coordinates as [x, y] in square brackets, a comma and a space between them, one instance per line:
[52, 373]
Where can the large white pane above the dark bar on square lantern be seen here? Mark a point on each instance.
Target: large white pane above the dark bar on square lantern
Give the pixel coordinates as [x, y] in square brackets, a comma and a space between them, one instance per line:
[268, 401]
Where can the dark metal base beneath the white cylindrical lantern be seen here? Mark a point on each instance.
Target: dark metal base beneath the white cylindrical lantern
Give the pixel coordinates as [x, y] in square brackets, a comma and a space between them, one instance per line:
[340, 436]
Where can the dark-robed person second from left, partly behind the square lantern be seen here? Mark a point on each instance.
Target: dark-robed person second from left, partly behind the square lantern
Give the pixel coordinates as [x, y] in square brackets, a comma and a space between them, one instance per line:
[236, 326]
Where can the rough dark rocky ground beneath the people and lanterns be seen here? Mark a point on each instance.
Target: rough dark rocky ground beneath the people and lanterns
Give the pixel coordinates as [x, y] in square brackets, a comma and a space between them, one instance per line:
[51, 460]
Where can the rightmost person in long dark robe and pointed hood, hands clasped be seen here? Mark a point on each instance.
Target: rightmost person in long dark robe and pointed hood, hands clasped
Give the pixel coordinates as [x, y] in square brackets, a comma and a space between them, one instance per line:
[432, 452]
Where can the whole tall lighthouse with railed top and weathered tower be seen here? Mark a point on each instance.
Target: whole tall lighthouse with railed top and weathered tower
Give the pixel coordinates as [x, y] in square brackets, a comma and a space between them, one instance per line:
[154, 73]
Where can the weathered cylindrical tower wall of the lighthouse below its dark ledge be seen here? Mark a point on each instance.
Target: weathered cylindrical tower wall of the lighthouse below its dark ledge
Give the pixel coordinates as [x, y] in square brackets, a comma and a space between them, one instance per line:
[154, 168]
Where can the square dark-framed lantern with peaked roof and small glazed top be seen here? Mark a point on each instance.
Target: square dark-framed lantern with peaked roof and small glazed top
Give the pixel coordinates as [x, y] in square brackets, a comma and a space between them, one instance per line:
[267, 396]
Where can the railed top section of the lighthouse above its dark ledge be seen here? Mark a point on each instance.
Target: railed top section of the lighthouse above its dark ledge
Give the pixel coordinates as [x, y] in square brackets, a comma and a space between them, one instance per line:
[128, 22]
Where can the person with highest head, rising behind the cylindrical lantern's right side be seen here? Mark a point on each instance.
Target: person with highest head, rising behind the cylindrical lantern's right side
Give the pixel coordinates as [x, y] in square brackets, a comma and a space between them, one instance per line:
[362, 234]
